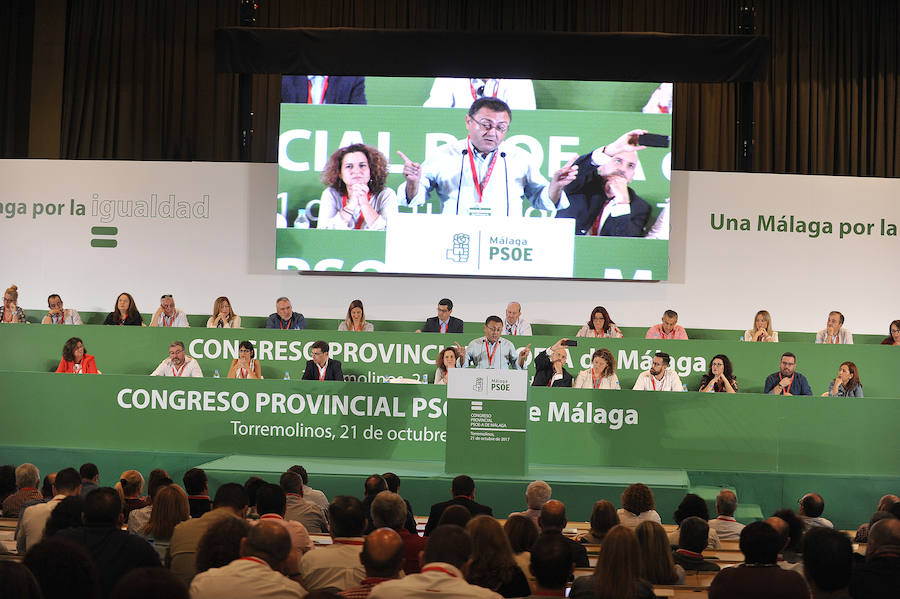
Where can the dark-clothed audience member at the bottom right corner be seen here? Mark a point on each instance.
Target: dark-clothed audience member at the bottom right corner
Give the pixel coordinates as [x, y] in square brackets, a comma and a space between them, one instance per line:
[879, 576]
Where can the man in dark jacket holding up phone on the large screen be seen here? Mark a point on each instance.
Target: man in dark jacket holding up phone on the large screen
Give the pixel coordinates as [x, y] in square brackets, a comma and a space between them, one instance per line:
[600, 200]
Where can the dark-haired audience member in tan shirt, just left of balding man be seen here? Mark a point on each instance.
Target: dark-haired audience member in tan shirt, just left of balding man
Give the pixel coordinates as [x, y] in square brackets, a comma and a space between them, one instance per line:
[337, 566]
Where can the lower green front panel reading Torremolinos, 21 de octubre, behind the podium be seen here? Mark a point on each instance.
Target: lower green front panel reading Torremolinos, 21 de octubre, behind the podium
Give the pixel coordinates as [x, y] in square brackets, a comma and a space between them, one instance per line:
[407, 422]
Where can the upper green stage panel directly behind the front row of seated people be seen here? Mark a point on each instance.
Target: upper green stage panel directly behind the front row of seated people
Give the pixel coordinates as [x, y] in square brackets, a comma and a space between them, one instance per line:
[374, 357]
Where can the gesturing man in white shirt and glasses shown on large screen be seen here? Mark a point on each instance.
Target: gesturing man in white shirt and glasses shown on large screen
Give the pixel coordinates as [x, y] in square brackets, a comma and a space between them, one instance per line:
[482, 176]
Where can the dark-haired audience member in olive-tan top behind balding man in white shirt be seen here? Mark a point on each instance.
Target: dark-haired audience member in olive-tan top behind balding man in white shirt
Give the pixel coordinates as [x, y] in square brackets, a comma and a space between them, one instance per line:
[230, 502]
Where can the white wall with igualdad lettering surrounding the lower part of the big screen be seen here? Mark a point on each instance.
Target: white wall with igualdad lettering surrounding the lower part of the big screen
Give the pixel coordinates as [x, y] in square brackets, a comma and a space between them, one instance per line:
[718, 279]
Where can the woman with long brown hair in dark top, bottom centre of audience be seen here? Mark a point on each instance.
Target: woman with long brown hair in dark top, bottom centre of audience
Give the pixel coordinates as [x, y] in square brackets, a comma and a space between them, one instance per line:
[492, 564]
